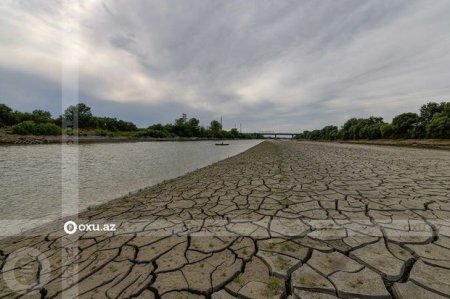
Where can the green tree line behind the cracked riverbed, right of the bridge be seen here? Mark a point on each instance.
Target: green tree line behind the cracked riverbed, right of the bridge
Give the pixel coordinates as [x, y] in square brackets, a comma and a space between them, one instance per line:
[432, 122]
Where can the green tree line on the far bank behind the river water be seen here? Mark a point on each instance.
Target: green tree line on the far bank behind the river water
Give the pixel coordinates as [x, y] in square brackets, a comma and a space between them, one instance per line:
[40, 122]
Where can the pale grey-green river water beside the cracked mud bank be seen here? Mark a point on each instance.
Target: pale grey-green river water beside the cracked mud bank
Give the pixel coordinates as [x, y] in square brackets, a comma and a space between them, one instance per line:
[40, 183]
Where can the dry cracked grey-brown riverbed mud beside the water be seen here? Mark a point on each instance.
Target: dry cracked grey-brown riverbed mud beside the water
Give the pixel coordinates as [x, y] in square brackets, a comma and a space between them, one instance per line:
[284, 219]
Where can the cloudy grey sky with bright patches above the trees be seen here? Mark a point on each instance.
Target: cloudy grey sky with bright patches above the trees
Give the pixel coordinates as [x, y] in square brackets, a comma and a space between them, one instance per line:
[270, 65]
